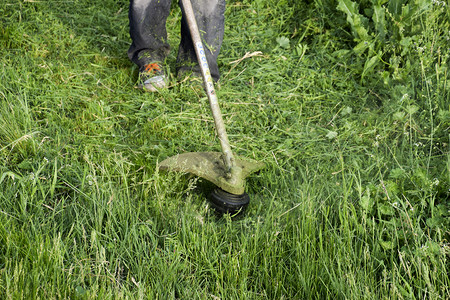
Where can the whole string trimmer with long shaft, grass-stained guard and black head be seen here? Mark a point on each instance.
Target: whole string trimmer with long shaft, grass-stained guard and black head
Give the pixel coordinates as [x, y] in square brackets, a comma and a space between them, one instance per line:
[225, 170]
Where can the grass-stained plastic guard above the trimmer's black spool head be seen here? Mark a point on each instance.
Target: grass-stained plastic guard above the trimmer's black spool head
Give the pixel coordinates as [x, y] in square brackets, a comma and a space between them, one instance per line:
[210, 166]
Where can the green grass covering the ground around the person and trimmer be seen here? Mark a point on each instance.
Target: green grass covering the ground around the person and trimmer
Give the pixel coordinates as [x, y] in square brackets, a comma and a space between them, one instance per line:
[353, 203]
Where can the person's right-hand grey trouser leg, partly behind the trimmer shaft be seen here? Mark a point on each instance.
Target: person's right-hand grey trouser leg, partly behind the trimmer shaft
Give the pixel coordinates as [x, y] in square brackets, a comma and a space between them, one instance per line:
[211, 22]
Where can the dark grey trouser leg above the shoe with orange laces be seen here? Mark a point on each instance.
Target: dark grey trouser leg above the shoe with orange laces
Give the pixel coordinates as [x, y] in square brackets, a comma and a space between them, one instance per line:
[148, 31]
